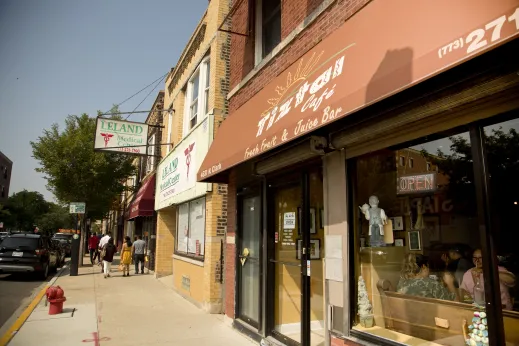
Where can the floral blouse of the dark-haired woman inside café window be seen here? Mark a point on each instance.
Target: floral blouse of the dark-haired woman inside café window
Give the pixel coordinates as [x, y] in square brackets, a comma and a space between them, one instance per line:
[424, 287]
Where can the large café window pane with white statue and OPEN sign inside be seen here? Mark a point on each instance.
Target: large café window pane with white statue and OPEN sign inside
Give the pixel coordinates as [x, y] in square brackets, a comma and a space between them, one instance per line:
[416, 240]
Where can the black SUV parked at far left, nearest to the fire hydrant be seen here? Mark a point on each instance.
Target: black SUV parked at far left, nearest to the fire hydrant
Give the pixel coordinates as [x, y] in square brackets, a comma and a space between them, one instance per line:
[28, 253]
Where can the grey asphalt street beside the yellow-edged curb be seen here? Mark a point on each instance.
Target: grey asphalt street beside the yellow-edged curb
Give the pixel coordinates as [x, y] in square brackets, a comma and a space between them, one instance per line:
[16, 291]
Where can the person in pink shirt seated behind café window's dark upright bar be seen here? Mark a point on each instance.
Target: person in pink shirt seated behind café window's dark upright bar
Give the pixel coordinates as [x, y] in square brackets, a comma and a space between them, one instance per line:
[475, 275]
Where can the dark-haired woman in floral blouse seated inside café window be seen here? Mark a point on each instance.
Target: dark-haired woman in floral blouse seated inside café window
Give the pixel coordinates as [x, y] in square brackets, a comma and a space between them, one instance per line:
[415, 280]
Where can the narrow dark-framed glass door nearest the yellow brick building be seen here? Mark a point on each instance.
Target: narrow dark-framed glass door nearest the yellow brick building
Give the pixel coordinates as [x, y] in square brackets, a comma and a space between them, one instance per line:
[249, 277]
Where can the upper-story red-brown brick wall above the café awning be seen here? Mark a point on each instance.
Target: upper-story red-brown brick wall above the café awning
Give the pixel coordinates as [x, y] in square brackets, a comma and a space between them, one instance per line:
[293, 12]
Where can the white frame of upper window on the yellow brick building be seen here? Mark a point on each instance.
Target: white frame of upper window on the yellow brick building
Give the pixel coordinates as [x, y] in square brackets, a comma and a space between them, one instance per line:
[201, 102]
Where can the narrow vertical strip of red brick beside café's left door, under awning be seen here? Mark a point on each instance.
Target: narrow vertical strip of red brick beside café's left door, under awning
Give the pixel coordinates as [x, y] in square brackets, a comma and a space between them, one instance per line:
[230, 249]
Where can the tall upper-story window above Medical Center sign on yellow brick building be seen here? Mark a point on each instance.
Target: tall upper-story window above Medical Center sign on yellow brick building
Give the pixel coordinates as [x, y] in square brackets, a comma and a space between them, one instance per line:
[197, 96]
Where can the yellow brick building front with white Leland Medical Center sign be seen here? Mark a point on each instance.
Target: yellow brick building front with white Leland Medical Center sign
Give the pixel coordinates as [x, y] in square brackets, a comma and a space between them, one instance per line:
[192, 217]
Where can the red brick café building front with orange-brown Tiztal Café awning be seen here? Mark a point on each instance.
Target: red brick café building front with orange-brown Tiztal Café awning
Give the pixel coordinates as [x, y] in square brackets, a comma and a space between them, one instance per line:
[331, 104]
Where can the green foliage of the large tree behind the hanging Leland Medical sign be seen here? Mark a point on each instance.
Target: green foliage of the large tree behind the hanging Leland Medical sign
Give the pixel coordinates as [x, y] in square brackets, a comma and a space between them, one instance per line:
[75, 173]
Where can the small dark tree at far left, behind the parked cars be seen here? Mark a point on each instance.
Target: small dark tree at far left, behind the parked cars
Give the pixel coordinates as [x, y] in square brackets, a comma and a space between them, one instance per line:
[25, 207]
